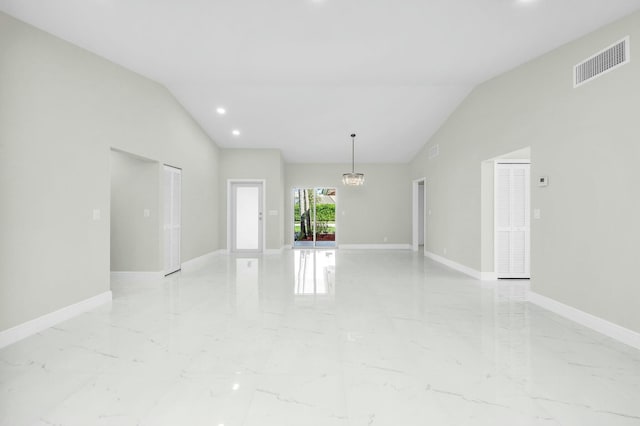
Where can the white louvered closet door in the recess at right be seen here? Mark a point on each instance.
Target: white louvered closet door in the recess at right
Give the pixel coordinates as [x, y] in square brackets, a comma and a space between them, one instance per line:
[512, 227]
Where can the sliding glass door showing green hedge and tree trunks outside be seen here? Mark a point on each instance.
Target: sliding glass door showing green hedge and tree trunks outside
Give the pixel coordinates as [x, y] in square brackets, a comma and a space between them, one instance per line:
[314, 217]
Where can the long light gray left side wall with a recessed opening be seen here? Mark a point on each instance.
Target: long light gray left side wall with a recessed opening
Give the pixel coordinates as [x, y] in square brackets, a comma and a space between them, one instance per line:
[61, 110]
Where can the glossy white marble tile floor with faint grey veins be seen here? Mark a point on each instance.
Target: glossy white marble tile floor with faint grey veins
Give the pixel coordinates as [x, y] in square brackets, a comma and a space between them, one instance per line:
[319, 338]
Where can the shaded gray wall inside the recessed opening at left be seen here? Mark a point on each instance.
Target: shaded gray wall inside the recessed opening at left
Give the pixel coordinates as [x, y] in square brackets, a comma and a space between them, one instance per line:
[135, 238]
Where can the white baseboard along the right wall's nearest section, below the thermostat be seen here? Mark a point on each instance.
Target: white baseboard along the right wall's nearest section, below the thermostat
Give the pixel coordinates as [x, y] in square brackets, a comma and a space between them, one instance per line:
[600, 325]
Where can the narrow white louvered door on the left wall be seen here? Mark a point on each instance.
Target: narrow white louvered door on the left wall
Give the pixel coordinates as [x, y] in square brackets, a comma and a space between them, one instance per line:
[172, 220]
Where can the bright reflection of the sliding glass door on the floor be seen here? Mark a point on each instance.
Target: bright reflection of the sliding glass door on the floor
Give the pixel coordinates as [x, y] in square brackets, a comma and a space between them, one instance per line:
[314, 272]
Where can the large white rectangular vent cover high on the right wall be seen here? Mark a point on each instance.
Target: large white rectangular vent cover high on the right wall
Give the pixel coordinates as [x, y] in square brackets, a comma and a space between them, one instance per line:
[606, 60]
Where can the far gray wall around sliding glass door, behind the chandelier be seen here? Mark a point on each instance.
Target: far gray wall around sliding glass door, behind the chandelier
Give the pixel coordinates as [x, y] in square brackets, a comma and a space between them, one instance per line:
[364, 215]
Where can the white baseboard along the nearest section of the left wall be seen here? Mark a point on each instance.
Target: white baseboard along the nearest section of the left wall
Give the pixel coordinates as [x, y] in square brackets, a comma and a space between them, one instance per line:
[29, 328]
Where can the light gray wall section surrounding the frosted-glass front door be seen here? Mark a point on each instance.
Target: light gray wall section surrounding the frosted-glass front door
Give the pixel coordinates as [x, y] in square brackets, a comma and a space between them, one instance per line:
[264, 164]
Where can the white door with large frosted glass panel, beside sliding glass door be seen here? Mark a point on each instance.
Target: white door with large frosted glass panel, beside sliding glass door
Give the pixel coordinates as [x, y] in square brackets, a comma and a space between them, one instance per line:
[246, 217]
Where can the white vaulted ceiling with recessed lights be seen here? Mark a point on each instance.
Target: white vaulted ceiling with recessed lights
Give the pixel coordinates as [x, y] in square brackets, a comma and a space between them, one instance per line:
[301, 75]
